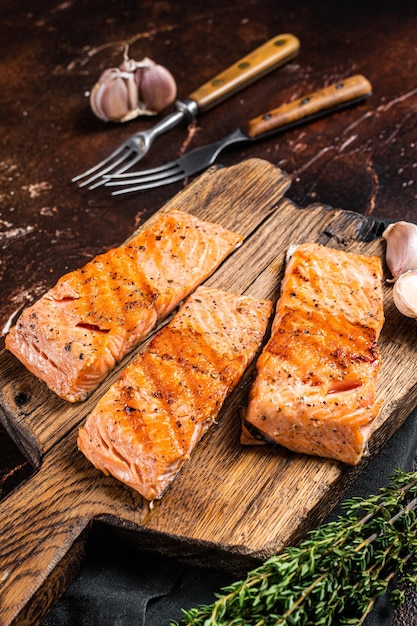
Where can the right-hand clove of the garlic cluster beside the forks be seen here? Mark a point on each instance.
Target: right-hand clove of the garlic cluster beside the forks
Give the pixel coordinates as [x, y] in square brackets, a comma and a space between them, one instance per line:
[157, 87]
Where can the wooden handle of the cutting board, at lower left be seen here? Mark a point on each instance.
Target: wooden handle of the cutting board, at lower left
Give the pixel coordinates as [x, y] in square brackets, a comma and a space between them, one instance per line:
[44, 529]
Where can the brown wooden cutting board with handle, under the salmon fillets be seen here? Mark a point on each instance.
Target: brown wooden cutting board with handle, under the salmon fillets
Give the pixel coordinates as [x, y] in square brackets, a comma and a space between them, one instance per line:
[231, 505]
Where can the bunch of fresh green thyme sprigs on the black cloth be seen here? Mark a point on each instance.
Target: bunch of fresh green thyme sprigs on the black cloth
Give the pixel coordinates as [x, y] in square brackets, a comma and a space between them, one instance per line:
[338, 571]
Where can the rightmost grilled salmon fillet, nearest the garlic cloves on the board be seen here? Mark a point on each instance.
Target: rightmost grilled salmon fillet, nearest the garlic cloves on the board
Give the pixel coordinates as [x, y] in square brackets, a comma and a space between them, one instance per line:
[314, 390]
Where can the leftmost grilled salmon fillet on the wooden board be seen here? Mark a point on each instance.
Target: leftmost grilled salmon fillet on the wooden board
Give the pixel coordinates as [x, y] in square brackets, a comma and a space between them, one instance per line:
[76, 333]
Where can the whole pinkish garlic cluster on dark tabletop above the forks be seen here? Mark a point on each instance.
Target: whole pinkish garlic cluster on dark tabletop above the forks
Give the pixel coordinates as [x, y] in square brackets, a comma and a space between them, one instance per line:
[135, 88]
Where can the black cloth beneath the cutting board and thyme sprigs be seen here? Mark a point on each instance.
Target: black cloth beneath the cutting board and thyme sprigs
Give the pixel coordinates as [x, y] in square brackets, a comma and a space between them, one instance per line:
[114, 589]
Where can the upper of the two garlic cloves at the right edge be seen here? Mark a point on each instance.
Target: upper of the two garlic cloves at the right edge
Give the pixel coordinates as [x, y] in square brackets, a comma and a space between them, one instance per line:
[401, 253]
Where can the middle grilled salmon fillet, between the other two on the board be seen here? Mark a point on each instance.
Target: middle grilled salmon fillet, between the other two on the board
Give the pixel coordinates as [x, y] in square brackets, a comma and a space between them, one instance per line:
[148, 423]
